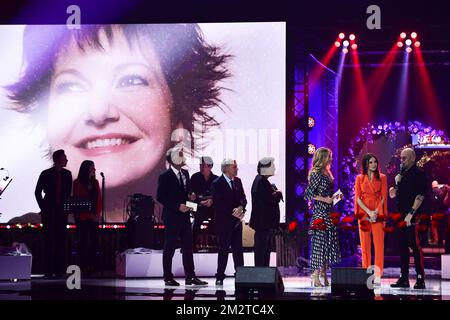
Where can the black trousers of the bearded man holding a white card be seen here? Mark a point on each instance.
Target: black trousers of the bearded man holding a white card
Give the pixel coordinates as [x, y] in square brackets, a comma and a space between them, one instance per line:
[178, 227]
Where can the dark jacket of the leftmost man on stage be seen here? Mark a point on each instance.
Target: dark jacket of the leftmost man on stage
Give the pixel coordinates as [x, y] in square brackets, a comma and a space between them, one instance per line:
[47, 182]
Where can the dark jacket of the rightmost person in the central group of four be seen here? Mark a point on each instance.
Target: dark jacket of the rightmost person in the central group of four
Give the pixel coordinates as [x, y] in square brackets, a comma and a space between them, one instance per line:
[265, 209]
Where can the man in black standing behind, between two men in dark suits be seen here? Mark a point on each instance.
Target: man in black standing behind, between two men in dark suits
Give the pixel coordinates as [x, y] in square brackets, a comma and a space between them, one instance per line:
[201, 185]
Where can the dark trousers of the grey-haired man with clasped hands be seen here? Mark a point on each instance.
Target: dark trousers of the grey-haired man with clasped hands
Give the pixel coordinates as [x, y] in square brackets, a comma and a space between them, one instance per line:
[230, 235]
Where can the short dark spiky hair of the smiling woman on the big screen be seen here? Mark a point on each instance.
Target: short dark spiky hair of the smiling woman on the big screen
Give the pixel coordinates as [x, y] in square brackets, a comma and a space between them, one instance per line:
[192, 67]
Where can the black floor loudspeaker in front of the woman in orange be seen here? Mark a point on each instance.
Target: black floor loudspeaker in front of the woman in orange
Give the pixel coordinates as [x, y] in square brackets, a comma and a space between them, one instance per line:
[351, 282]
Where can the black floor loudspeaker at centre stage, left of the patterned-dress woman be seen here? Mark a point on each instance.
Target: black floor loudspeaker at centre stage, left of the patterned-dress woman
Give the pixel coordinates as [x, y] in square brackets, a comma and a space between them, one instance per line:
[265, 280]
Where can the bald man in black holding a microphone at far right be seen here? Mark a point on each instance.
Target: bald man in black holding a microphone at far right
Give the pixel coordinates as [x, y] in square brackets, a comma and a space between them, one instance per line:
[410, 191]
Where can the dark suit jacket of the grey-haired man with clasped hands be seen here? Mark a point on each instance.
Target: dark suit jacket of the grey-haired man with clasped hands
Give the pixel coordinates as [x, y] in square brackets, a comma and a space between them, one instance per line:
[225, 200]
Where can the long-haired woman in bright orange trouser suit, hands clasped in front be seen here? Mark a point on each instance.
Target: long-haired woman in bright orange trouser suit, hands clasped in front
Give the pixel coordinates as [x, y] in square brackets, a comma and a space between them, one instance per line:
[371, 204]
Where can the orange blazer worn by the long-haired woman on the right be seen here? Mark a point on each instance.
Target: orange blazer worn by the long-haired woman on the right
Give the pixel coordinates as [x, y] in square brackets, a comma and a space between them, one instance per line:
[371, 193]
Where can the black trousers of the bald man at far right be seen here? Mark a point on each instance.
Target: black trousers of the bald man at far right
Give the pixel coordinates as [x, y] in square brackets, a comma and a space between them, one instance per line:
[408, 238]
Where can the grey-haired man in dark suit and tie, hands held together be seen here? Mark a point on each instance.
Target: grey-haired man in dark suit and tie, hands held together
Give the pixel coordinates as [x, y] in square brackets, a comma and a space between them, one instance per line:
[229, 207]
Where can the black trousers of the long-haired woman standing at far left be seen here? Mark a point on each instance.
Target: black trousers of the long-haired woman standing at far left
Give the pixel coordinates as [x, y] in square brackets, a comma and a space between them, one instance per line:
[87, 244]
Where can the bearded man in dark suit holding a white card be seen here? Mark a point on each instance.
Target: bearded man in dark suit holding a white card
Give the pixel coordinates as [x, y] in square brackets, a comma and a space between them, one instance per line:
[173, 192]
